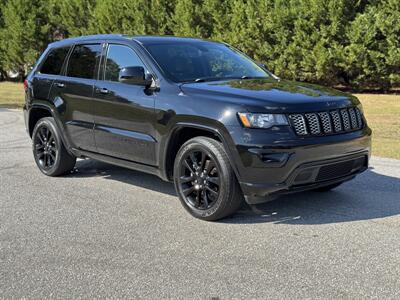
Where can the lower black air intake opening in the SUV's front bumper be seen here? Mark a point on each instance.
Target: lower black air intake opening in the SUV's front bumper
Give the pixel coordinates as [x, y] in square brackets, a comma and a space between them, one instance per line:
[340, 169]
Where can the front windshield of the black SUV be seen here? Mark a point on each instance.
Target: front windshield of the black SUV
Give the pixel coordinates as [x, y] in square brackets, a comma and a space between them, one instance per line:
[203, 61]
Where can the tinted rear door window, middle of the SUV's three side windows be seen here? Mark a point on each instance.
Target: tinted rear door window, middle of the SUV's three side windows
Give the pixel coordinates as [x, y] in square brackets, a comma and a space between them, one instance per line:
[83, 60]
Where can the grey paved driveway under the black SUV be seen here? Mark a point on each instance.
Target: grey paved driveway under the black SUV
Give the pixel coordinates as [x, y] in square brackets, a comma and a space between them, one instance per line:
[109, 232]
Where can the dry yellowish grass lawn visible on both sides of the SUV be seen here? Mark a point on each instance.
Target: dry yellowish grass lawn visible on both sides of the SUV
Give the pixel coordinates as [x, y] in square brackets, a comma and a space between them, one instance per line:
[382, 111]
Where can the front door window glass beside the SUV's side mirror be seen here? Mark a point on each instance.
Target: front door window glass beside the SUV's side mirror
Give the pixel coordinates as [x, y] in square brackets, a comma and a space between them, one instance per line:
[118, 57]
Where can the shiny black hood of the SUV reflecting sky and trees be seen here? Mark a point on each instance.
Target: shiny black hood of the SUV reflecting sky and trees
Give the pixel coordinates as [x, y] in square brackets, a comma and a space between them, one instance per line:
[270, 94]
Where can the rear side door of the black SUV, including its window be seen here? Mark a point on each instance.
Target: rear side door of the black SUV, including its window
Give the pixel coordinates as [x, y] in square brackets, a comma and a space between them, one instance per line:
[73, 94]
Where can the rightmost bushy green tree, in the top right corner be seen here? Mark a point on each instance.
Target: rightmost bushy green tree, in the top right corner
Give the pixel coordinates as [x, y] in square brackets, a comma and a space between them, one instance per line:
[373, 52]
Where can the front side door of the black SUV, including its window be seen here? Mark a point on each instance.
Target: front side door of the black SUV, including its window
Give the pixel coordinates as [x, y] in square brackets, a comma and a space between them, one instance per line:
[123, 113]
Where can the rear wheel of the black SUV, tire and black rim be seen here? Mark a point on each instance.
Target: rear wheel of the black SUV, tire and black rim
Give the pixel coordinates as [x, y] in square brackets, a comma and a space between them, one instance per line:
[51, 157]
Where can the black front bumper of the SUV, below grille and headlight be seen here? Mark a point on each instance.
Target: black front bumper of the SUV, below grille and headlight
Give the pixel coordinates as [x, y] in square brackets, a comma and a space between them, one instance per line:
[269, 165]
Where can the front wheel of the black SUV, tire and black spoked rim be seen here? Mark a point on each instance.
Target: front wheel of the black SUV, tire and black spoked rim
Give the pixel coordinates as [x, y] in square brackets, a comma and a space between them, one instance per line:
[205, 181]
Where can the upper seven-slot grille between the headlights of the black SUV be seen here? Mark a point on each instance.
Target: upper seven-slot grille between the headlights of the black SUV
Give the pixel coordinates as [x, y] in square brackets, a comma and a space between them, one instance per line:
[327, 122]
